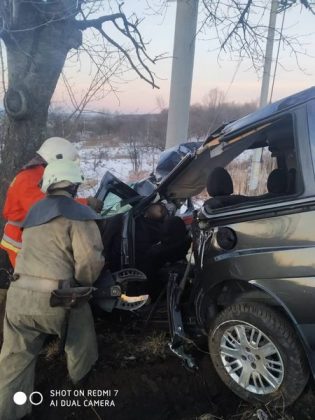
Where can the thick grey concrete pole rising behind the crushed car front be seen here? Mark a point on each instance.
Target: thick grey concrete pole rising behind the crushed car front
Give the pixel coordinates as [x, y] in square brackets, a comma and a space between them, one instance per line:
[182, 72]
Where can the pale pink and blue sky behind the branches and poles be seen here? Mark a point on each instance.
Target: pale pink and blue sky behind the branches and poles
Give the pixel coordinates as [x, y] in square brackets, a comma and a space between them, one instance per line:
[237, 80]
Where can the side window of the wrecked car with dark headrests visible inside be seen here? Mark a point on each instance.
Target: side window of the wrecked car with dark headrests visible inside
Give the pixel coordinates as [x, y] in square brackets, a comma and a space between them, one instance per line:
[278, 170]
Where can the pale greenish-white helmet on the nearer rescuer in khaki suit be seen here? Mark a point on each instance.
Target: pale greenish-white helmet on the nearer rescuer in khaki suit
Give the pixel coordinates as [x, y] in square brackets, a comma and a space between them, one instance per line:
[60, 174]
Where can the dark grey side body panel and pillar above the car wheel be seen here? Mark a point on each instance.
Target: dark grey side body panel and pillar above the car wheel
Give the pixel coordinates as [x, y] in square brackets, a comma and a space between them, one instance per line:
[269, 243]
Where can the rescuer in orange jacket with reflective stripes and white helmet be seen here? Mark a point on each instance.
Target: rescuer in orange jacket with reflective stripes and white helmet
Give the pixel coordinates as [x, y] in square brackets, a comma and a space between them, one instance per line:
[25, 191]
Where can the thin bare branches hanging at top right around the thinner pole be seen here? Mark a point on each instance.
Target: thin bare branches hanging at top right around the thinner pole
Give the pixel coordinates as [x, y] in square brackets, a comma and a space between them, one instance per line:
[240, 27]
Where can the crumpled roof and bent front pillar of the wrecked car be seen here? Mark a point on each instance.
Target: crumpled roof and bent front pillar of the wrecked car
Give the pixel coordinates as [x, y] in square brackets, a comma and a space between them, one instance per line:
[188, 178]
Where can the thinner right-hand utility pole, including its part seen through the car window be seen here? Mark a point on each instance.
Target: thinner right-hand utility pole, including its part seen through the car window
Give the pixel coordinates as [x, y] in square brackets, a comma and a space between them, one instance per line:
[254, 176]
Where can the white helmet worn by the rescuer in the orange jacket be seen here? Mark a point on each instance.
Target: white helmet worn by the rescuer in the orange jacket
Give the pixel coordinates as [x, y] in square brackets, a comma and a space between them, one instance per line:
[57, 148]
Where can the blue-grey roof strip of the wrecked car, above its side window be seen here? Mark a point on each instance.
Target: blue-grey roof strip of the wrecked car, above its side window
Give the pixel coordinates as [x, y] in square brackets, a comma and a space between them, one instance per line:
[264, 113]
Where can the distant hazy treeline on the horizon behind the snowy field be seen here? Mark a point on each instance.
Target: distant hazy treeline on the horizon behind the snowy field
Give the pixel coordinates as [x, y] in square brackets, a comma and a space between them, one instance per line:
[147, 129]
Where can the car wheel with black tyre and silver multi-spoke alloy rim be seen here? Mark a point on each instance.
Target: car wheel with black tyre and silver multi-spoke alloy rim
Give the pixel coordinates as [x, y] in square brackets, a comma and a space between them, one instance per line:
[258, 355]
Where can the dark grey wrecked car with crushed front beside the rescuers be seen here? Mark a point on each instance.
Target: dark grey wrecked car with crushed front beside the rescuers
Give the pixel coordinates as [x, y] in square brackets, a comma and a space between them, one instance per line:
[248, 287]
